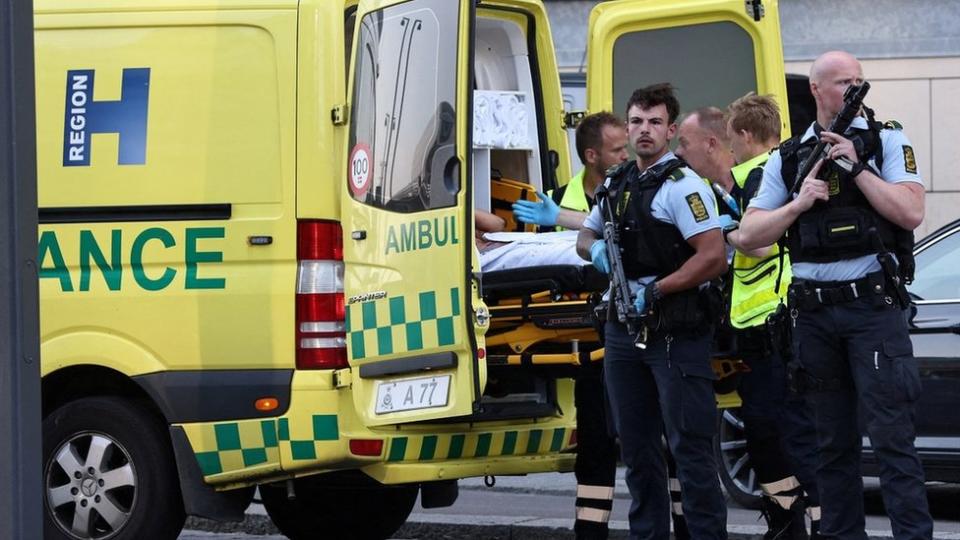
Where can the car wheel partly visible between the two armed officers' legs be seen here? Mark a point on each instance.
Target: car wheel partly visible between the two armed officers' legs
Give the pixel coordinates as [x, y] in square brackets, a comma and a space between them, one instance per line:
[736, 471]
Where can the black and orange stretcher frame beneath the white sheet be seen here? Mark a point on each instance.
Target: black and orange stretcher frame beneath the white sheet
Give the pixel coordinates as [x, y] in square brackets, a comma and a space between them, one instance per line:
[549, 316]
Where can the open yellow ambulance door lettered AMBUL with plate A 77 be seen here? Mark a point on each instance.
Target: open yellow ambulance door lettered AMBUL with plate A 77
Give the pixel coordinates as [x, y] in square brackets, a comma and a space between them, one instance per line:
[406, 214]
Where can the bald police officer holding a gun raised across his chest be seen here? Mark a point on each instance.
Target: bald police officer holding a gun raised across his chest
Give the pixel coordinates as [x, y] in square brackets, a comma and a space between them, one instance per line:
[851, 345]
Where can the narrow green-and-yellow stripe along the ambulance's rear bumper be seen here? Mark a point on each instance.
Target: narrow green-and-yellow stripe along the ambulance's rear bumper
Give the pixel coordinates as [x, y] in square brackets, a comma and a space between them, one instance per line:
[478, 445]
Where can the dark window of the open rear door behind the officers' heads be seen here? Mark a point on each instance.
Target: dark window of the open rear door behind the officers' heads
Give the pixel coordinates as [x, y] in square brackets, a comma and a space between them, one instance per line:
[708, 64]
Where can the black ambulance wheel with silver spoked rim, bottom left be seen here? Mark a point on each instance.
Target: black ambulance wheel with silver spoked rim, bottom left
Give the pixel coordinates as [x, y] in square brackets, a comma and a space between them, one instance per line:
[108, 473]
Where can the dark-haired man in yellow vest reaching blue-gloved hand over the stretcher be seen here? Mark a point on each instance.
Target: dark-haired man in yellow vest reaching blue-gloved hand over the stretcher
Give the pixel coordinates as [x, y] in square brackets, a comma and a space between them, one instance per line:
[601, 144]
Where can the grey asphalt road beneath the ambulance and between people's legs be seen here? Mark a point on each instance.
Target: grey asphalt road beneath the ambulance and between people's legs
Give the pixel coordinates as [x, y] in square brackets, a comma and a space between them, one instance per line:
[541, 506]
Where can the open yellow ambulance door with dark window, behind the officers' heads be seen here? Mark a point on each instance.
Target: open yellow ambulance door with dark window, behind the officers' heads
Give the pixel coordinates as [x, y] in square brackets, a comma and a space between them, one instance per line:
[711, 51]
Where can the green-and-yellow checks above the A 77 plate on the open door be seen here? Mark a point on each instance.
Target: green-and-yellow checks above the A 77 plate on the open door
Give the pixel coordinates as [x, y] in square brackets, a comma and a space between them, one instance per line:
[400, 324]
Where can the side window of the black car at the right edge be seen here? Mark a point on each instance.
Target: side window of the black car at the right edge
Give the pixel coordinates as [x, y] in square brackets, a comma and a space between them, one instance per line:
[936, 275]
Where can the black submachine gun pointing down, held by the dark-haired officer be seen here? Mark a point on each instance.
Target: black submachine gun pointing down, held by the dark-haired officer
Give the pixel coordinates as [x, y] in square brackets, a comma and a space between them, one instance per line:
[619, 287]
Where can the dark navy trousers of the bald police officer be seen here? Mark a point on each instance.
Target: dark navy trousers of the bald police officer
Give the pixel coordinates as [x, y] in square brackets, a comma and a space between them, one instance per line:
[856, 358]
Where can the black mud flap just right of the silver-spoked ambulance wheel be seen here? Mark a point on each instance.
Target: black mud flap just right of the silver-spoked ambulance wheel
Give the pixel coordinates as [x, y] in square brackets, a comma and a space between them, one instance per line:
[199, 498]
